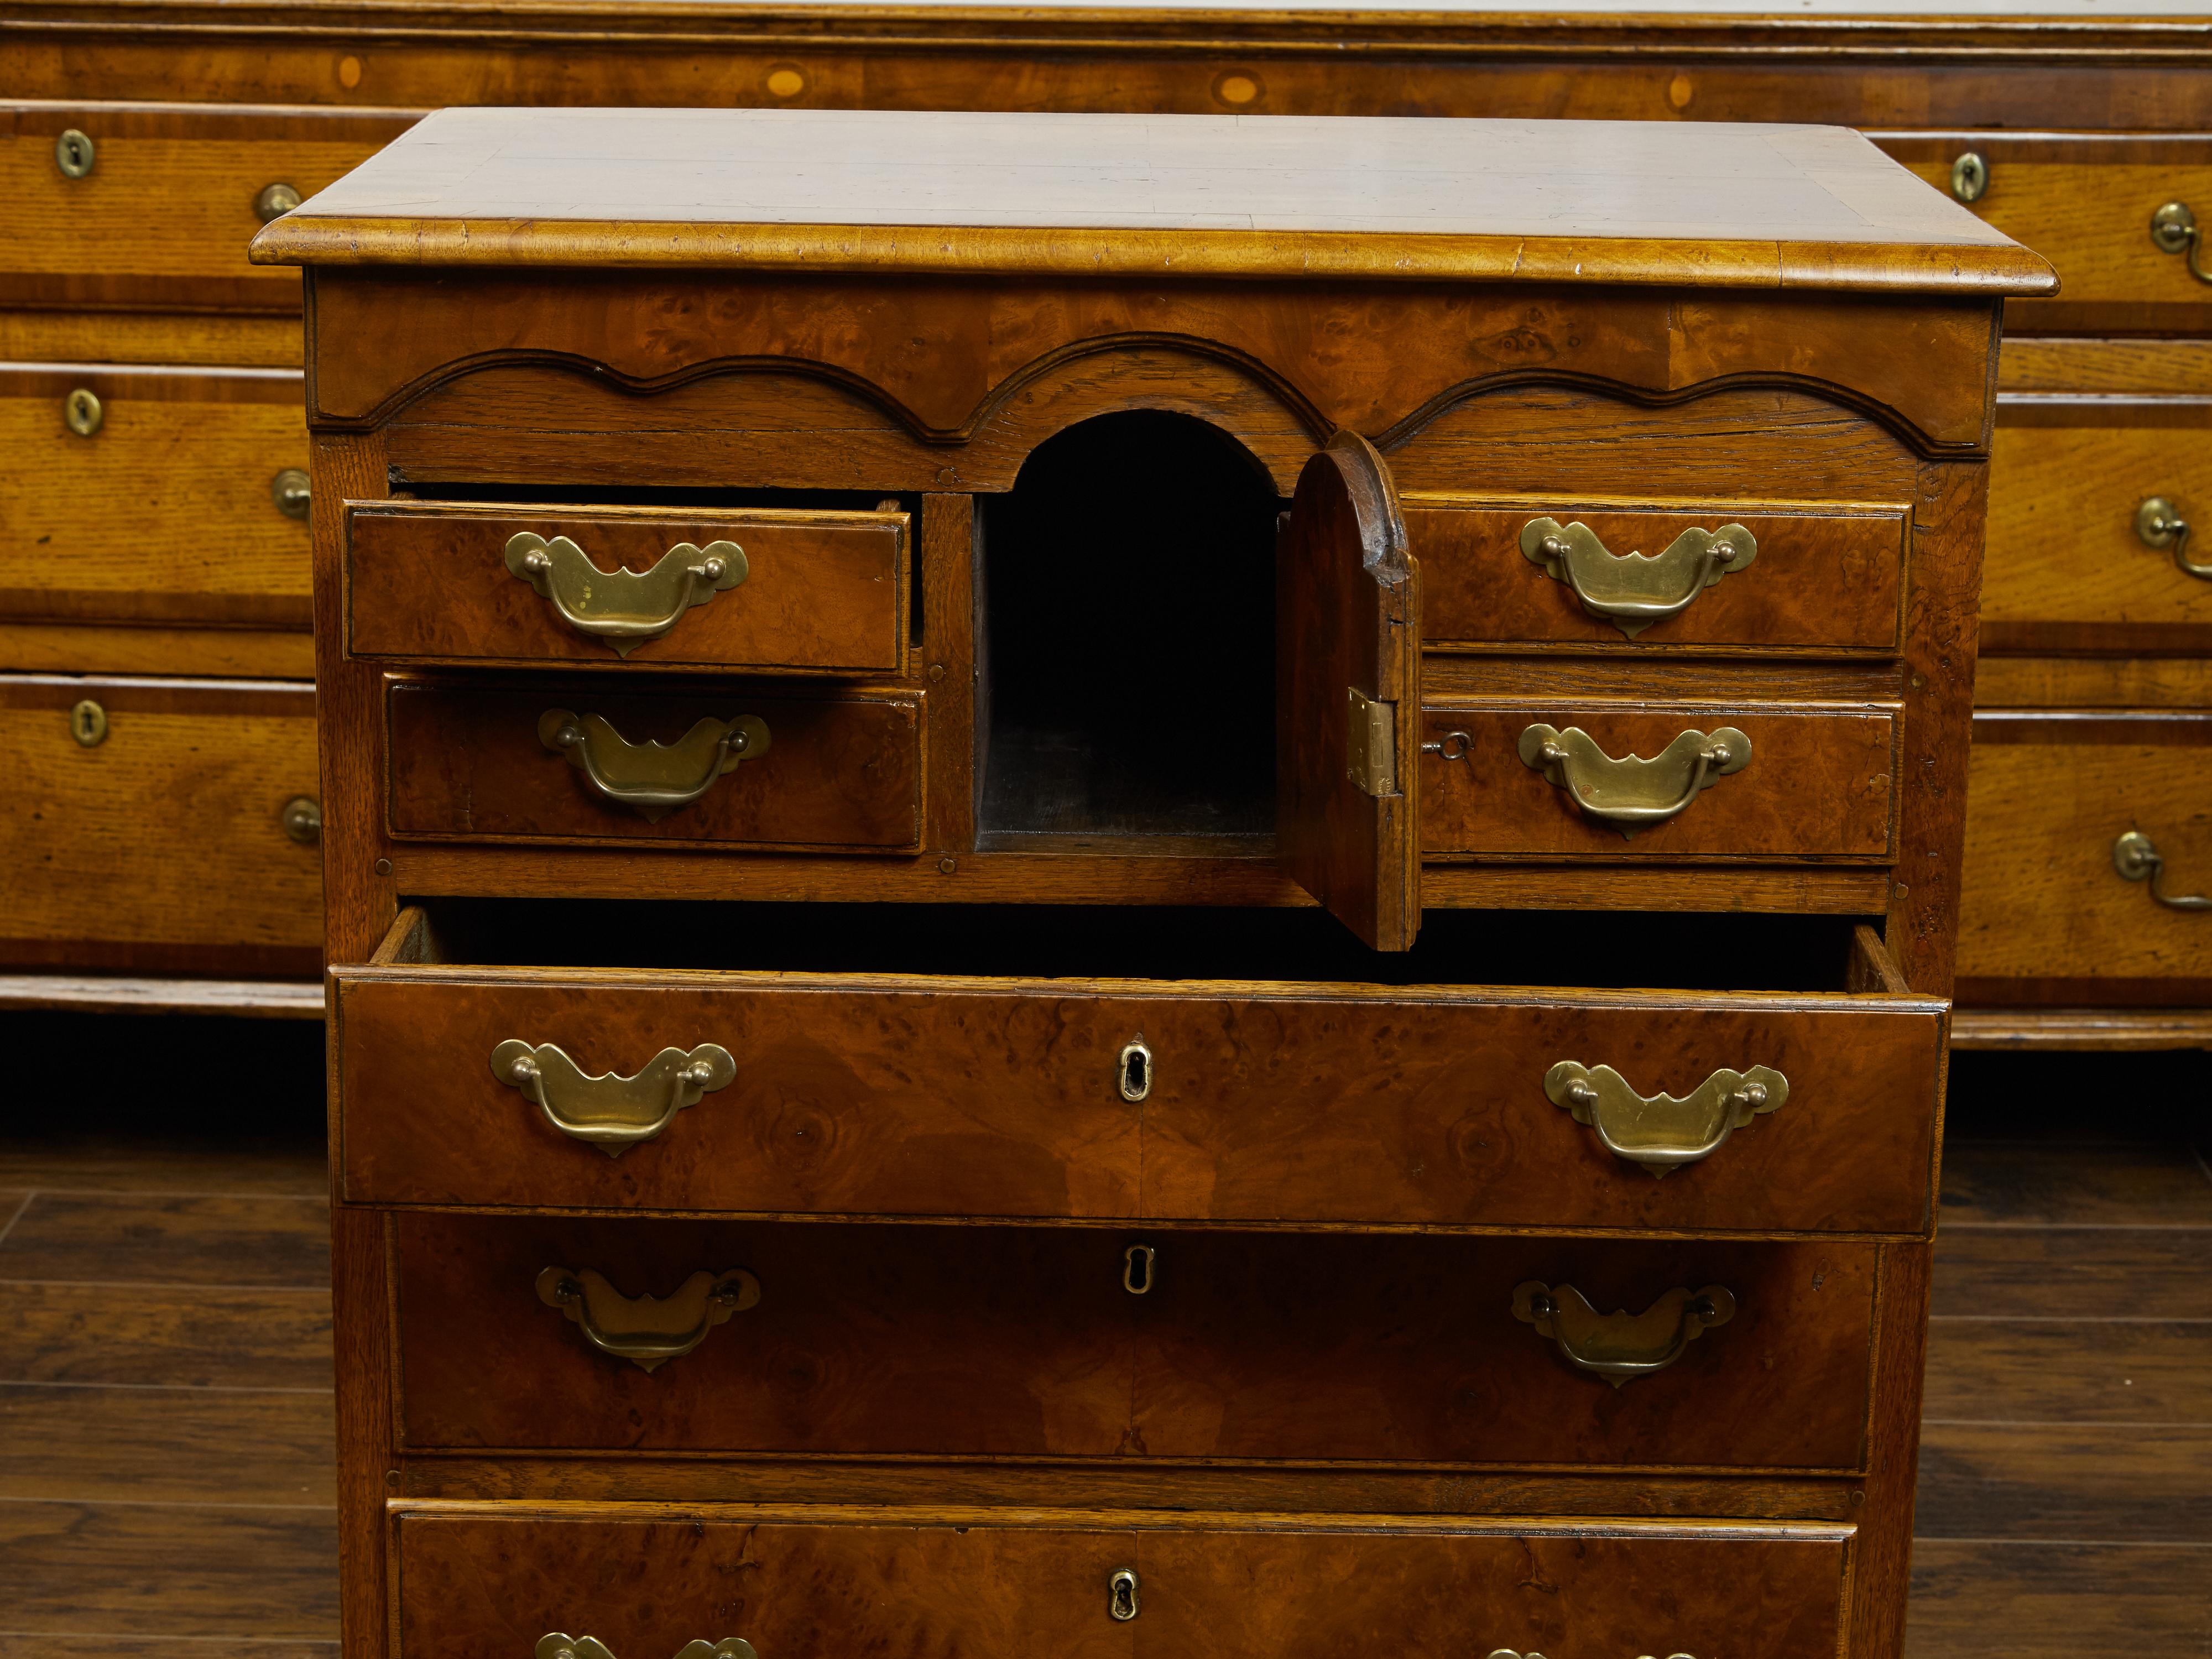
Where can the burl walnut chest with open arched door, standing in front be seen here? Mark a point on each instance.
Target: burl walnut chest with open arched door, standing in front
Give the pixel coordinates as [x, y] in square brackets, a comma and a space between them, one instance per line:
[992, 893]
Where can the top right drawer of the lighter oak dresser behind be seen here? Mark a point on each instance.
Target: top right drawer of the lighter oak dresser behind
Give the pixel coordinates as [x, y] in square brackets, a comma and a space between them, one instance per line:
[2085, 205]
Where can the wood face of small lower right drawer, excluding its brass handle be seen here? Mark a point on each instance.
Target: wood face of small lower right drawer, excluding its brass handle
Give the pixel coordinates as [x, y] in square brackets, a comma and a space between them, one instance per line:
[1819, 784]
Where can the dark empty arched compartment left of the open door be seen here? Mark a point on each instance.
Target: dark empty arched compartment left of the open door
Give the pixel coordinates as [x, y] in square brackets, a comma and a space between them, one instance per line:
[1129, 638]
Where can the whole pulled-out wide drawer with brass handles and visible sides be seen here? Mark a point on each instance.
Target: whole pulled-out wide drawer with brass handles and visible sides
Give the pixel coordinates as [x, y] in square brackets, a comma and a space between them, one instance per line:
[1258, 1074]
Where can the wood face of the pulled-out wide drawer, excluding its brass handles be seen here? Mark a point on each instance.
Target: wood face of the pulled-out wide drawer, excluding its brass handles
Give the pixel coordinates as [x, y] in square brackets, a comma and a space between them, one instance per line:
[946, 1096]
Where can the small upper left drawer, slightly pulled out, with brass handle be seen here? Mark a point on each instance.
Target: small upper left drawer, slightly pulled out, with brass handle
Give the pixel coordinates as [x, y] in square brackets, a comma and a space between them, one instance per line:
[572, 585]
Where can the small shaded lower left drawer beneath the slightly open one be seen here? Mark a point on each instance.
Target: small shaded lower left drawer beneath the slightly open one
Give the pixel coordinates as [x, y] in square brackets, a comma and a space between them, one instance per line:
[828, 773]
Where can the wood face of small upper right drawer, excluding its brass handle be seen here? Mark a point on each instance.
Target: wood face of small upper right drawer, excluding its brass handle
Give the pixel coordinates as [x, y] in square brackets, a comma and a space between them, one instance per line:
[1826, 578]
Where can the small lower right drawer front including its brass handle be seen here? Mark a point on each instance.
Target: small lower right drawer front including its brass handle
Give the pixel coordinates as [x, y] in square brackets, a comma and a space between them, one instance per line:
[1647, 782]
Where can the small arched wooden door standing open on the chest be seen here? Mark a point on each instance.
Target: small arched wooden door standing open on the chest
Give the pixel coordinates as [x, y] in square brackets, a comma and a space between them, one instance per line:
[1348, 674]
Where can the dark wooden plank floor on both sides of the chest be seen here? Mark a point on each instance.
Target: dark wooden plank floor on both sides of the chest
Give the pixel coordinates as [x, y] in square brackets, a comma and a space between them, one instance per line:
[165, 1379]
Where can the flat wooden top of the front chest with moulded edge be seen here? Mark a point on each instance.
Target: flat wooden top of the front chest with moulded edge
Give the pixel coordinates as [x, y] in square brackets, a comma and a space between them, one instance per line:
[1200, 196]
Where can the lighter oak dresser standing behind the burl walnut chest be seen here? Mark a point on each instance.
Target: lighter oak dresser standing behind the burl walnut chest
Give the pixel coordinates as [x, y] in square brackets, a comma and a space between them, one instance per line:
[154, 550]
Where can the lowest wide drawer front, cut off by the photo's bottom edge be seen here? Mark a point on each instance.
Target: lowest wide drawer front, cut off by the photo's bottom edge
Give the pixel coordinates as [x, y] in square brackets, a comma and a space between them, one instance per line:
[1098, 1585]
